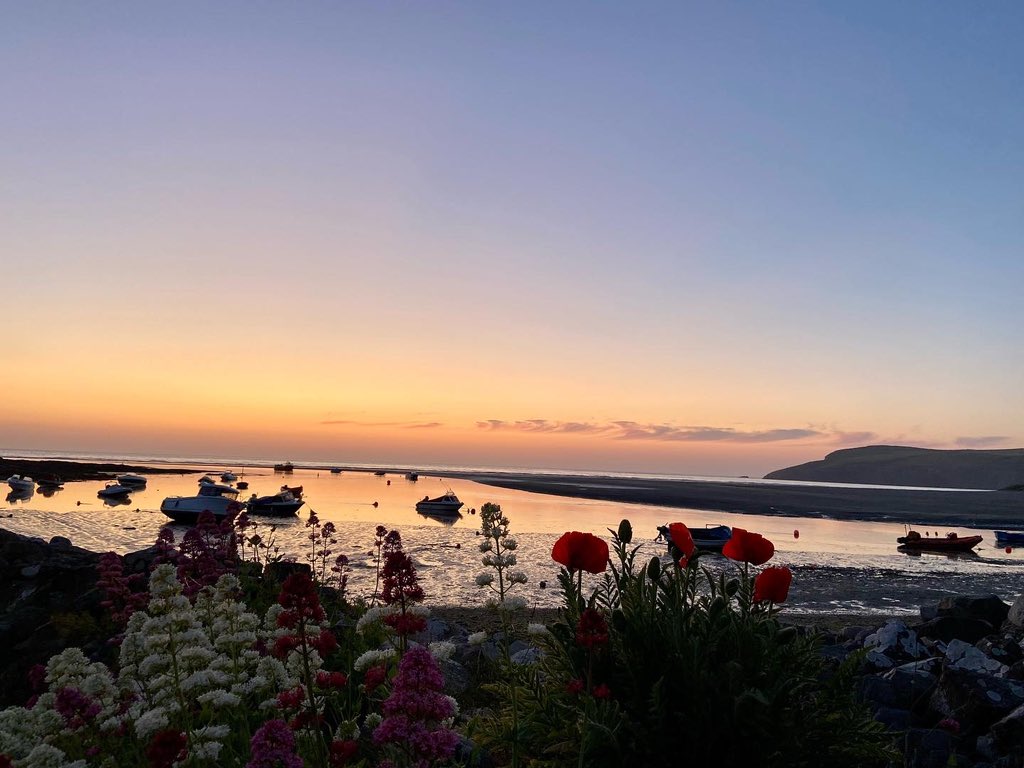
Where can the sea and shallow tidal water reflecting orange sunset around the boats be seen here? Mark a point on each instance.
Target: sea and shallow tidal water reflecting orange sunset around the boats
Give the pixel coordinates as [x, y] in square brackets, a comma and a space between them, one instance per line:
[840, 568]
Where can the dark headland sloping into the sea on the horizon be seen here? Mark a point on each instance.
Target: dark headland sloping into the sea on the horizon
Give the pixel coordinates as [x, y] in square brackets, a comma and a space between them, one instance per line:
[900, 465]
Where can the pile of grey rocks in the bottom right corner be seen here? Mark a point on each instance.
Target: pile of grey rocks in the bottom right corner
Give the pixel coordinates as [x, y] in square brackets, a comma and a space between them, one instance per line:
[955, 702]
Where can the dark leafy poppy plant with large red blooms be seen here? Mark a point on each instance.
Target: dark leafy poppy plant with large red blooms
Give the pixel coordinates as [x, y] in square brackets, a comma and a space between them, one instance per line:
[665, 663]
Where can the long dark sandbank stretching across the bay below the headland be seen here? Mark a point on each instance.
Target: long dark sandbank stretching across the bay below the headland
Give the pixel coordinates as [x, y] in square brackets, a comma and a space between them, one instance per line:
[996, 509]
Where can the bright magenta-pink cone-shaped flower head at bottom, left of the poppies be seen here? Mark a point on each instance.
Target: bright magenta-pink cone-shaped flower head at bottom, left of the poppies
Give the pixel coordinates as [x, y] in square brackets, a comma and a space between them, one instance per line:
[414, 712]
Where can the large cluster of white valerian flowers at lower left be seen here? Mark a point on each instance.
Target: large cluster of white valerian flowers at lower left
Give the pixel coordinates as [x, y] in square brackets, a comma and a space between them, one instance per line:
[174, 654]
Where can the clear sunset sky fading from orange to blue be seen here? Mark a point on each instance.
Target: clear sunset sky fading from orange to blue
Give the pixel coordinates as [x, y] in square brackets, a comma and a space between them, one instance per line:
[716, 238]
